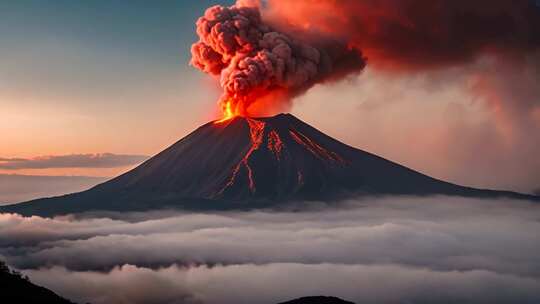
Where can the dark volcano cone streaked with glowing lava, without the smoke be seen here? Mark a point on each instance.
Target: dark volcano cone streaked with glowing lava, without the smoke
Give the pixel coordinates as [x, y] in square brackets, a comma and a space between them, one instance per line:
[251, 163]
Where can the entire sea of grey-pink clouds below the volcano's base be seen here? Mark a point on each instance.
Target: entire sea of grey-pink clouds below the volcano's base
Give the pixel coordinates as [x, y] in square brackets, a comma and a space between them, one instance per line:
[378, 250]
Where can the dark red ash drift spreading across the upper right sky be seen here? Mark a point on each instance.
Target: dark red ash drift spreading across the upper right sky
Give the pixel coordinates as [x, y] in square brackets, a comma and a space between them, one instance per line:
[420, 34]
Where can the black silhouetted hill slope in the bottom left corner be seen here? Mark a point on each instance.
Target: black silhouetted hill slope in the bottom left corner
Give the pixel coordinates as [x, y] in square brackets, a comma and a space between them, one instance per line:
[14, 288]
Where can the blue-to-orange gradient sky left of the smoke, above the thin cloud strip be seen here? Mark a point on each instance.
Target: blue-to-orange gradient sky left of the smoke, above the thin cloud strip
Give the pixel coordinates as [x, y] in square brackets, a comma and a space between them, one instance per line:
[99, 76]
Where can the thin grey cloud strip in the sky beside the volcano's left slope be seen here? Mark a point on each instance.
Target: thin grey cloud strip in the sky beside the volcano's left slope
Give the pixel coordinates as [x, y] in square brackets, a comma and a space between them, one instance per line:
[103, 160]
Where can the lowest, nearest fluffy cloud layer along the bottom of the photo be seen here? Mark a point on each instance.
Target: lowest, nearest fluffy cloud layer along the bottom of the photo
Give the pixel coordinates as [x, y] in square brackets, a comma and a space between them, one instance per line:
[274, 283]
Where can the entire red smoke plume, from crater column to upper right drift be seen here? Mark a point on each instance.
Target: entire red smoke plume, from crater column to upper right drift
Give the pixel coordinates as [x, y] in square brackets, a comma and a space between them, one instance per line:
[285, 52]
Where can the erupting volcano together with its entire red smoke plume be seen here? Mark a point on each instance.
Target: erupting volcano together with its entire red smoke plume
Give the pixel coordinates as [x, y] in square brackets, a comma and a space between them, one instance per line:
[244, 161]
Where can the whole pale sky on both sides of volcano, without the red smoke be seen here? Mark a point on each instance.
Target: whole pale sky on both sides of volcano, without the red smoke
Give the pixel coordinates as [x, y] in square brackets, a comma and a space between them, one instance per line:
[83, 79]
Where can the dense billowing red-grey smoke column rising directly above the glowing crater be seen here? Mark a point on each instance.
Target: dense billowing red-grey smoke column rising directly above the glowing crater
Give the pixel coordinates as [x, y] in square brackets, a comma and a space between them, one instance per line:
[256, 63]
